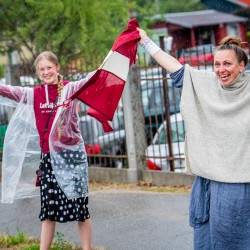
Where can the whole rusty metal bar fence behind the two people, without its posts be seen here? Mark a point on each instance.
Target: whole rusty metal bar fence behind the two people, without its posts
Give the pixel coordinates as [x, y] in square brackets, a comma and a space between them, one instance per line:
[162, 129]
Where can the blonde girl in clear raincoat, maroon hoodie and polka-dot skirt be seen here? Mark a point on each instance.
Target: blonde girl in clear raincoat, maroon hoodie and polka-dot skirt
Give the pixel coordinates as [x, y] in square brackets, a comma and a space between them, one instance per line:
[64, 167]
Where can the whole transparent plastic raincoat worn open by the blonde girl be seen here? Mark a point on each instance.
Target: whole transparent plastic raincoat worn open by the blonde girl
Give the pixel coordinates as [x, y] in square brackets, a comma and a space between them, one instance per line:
[21, 152]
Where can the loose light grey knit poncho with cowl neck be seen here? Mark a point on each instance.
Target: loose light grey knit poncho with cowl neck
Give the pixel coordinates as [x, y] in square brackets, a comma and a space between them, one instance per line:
[217, 121]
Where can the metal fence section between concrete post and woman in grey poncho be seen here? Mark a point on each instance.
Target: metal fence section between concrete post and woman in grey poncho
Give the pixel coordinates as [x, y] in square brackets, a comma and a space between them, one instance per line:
[165, 130]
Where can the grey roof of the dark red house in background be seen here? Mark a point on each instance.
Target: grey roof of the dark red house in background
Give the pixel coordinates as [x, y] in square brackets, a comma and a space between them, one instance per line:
[200, 18]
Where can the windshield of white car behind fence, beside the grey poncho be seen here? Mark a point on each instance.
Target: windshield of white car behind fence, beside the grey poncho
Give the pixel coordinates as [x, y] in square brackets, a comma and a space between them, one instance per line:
[177, 130]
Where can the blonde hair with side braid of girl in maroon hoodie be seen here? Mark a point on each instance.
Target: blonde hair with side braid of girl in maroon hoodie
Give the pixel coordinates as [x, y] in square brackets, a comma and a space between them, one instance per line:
[48, 55]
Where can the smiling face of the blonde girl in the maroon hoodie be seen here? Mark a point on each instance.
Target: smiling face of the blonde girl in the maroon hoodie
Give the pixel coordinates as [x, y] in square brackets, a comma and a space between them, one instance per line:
[47, 71]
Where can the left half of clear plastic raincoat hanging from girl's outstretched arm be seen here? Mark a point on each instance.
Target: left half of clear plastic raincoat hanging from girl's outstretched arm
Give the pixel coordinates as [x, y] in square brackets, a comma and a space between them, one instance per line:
[21, 150]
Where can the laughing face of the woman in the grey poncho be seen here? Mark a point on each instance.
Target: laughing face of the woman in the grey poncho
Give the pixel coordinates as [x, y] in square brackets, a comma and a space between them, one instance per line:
[226, 66]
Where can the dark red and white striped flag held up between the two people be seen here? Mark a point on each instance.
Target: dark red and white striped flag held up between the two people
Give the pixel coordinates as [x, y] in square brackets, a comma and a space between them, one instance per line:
[103, 90]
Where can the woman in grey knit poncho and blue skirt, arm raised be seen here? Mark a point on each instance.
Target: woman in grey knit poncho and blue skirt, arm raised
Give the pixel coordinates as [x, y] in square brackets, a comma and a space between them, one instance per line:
[215, 107]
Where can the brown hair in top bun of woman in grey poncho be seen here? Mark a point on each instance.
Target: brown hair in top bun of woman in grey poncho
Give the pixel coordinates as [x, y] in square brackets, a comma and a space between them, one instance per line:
[233, 43]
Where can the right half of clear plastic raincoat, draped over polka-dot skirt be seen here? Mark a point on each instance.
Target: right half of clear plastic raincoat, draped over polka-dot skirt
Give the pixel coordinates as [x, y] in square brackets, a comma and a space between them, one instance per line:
[65, 141]
